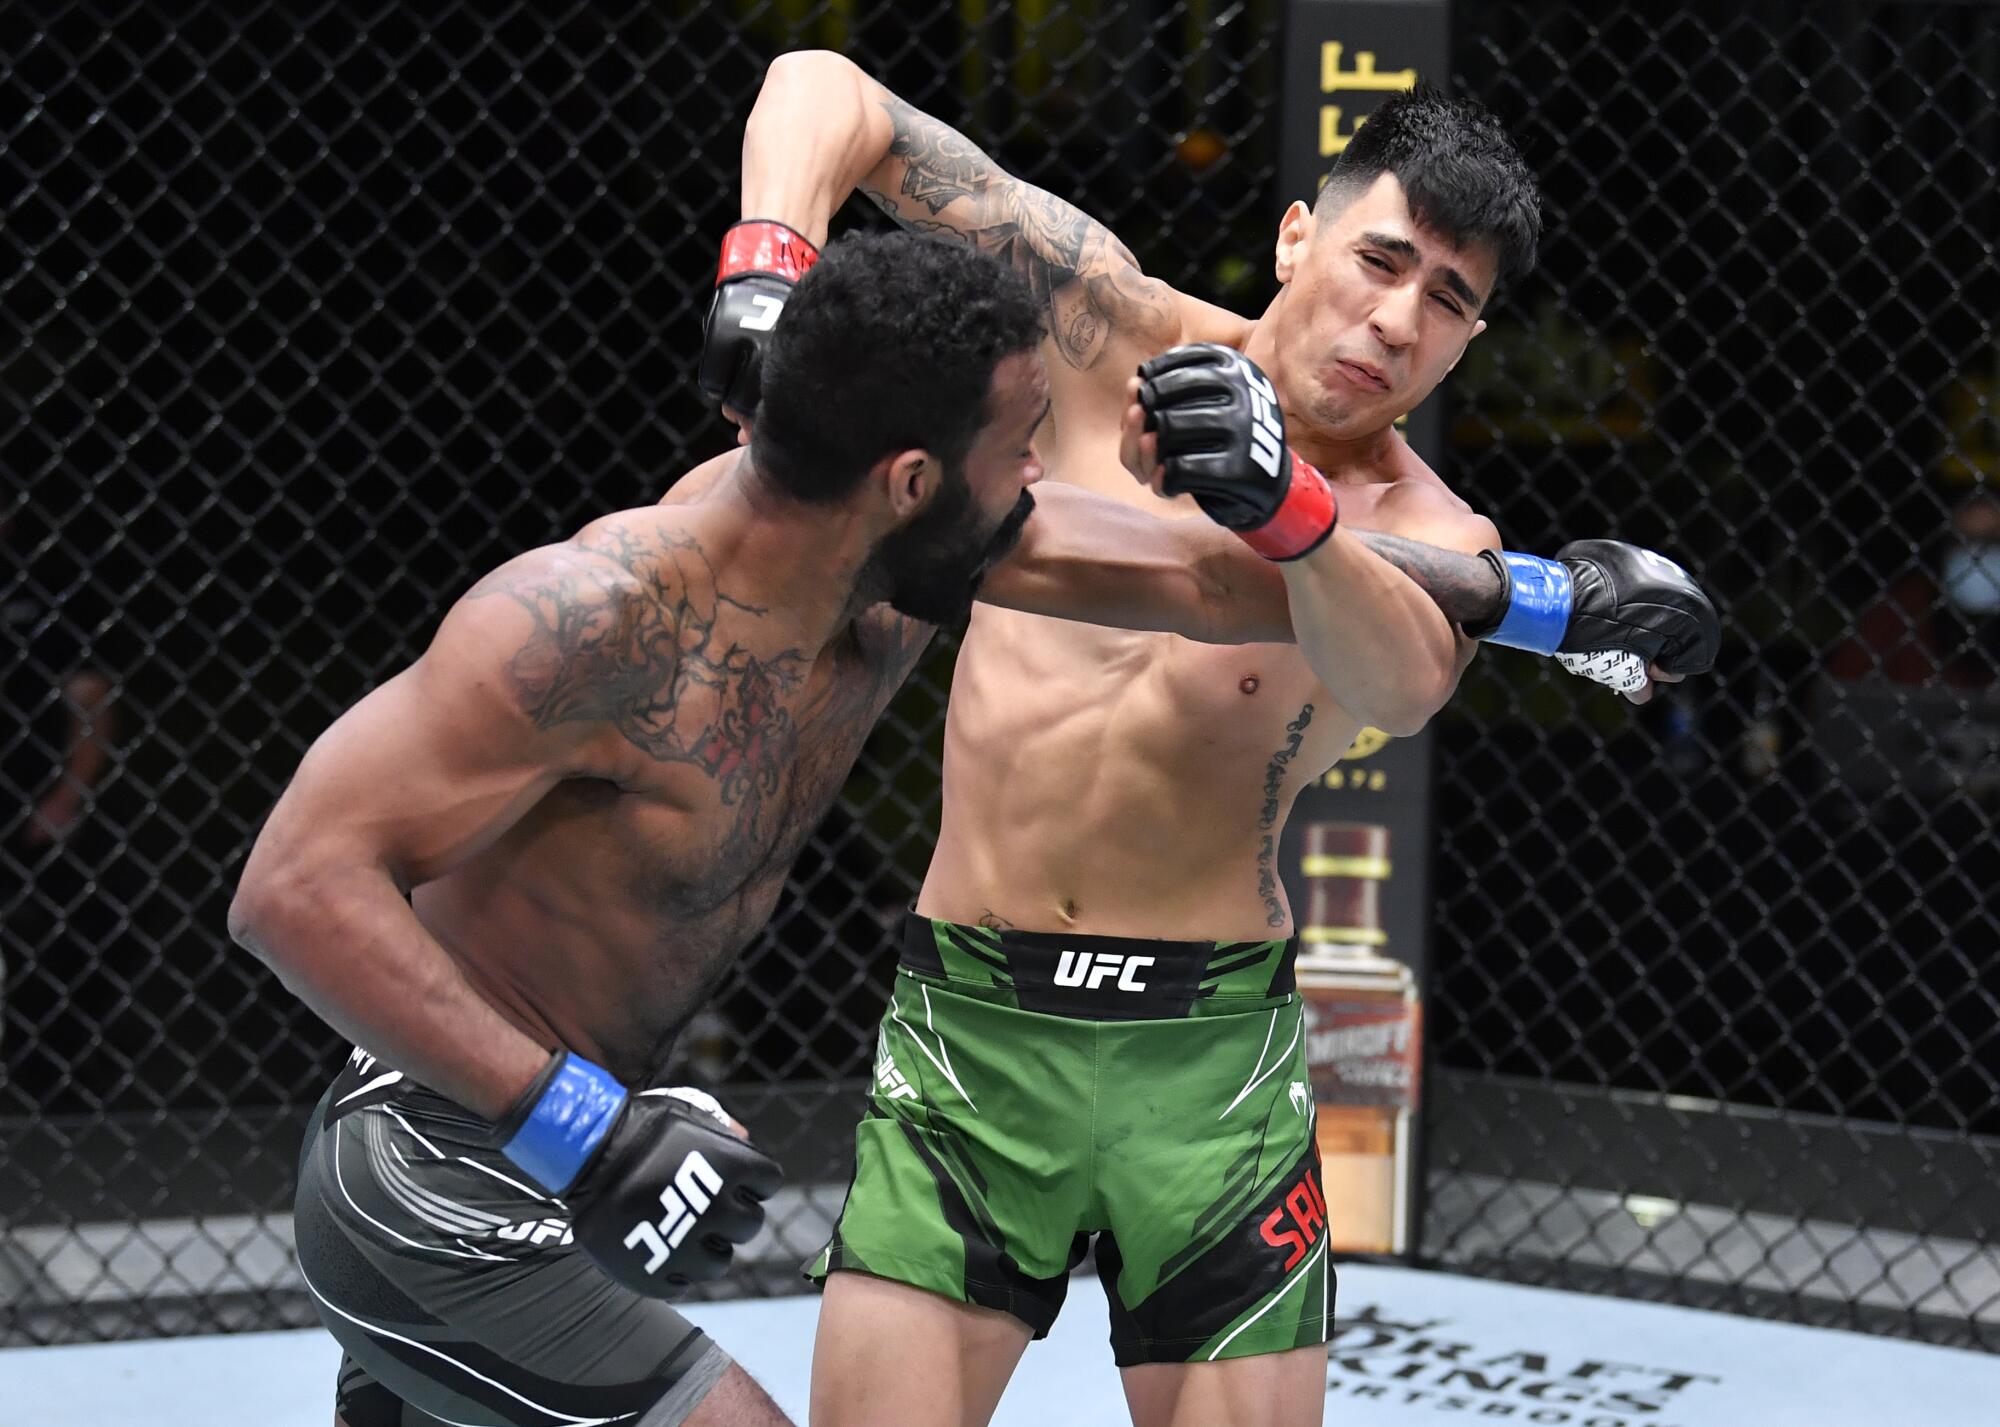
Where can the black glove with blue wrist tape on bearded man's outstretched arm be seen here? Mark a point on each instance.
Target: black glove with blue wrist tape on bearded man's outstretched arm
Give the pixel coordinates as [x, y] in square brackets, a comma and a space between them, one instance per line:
[1605, 595]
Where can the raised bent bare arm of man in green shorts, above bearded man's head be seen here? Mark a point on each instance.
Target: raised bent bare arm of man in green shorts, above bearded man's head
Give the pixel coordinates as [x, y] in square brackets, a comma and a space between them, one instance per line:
[823, 129]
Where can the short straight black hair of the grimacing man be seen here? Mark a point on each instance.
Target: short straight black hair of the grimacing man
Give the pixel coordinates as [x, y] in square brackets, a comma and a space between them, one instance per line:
[1459, 169]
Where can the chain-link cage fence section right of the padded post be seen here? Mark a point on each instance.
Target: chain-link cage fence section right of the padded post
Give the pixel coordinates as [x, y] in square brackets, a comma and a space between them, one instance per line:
[1721, 982]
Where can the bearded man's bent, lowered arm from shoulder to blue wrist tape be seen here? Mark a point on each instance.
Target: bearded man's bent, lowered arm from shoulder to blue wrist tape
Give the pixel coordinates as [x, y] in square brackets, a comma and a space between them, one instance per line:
[413, 780]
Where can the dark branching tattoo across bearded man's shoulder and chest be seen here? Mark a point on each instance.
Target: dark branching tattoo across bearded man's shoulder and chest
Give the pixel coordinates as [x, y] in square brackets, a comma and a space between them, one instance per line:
[627, 637]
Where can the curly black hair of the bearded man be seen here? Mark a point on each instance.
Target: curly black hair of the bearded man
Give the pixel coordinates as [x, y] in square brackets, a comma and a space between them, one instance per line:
[889, 345]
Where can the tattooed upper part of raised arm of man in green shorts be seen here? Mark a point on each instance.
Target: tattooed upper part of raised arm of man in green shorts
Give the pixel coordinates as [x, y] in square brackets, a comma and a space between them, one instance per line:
[1085, 279]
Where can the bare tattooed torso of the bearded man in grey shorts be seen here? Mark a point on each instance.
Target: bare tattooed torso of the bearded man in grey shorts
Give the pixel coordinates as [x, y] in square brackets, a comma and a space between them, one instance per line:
[605, 916]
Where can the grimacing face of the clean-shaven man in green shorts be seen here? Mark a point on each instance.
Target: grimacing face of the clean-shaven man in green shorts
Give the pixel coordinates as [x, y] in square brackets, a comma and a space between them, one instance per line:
[1377, 311]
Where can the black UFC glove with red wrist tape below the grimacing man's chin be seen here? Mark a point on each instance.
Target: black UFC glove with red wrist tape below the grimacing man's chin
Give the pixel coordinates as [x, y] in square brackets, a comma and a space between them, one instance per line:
[1223, 443]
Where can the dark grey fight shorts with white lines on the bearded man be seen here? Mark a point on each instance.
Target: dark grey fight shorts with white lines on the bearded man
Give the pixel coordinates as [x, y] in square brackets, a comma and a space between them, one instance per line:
[455, 1286]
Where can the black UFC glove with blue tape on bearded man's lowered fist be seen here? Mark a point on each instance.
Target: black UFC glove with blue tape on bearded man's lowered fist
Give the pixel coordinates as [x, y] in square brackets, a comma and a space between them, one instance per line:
[659, 1188]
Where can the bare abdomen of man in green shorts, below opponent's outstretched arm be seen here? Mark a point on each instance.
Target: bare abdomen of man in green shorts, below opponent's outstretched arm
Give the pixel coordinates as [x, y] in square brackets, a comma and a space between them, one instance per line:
[1123, 784]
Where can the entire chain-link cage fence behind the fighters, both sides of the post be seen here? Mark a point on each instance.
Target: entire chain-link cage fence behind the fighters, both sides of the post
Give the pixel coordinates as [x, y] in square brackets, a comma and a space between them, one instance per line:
[315, 313]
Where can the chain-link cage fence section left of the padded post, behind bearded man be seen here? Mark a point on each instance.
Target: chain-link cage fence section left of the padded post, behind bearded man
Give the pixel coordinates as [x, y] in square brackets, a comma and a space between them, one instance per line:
[313, 313]
